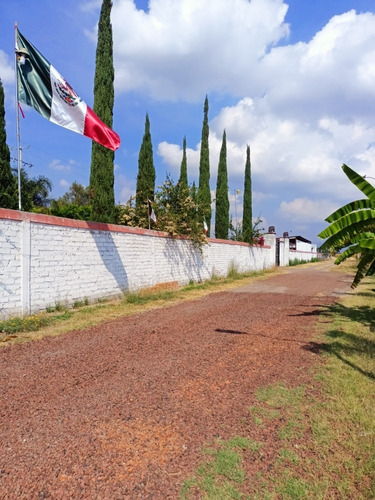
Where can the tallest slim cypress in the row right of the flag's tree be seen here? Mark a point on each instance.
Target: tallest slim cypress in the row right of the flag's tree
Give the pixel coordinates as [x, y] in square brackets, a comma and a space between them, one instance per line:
[204, 194]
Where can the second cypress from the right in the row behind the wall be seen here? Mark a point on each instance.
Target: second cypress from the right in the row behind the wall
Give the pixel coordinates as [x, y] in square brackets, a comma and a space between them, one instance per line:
[222, 199]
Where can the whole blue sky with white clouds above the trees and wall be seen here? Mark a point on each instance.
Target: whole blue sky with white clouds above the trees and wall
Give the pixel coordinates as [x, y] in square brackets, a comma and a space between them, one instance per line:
[294, 79]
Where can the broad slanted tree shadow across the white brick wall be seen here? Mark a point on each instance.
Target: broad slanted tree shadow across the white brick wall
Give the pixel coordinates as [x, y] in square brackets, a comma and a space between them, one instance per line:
[111, 258]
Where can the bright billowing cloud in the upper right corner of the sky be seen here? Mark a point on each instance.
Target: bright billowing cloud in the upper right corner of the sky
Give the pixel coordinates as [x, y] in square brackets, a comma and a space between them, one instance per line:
[333, 74]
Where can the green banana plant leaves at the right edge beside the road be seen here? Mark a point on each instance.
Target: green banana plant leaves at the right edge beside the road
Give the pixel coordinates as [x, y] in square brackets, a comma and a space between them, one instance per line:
[352, 227]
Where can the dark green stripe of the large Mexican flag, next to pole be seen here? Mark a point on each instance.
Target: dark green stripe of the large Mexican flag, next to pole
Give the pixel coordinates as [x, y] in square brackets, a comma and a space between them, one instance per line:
[34, 82]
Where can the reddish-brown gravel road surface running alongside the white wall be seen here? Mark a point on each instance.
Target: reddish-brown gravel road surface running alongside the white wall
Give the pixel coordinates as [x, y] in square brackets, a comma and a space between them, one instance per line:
[122, 410]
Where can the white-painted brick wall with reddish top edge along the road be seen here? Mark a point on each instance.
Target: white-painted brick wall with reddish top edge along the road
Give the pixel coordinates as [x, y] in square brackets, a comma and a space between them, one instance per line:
[46, 260]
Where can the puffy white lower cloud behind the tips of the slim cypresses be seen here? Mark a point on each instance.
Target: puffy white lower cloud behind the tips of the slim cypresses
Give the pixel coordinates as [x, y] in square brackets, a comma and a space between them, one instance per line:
[284, 152]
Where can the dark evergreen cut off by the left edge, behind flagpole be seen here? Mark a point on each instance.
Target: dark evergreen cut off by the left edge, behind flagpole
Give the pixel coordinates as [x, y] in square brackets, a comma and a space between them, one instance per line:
[8, 193]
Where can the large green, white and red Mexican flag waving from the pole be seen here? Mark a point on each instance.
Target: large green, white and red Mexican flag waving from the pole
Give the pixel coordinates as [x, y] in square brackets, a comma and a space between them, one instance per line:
[43, 88]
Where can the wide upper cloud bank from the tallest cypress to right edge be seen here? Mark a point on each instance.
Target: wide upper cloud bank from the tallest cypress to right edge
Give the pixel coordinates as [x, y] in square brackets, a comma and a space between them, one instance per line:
[177, 51]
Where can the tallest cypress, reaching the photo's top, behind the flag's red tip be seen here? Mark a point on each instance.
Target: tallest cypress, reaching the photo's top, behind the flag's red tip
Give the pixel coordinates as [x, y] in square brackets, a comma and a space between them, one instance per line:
[102, 169]
